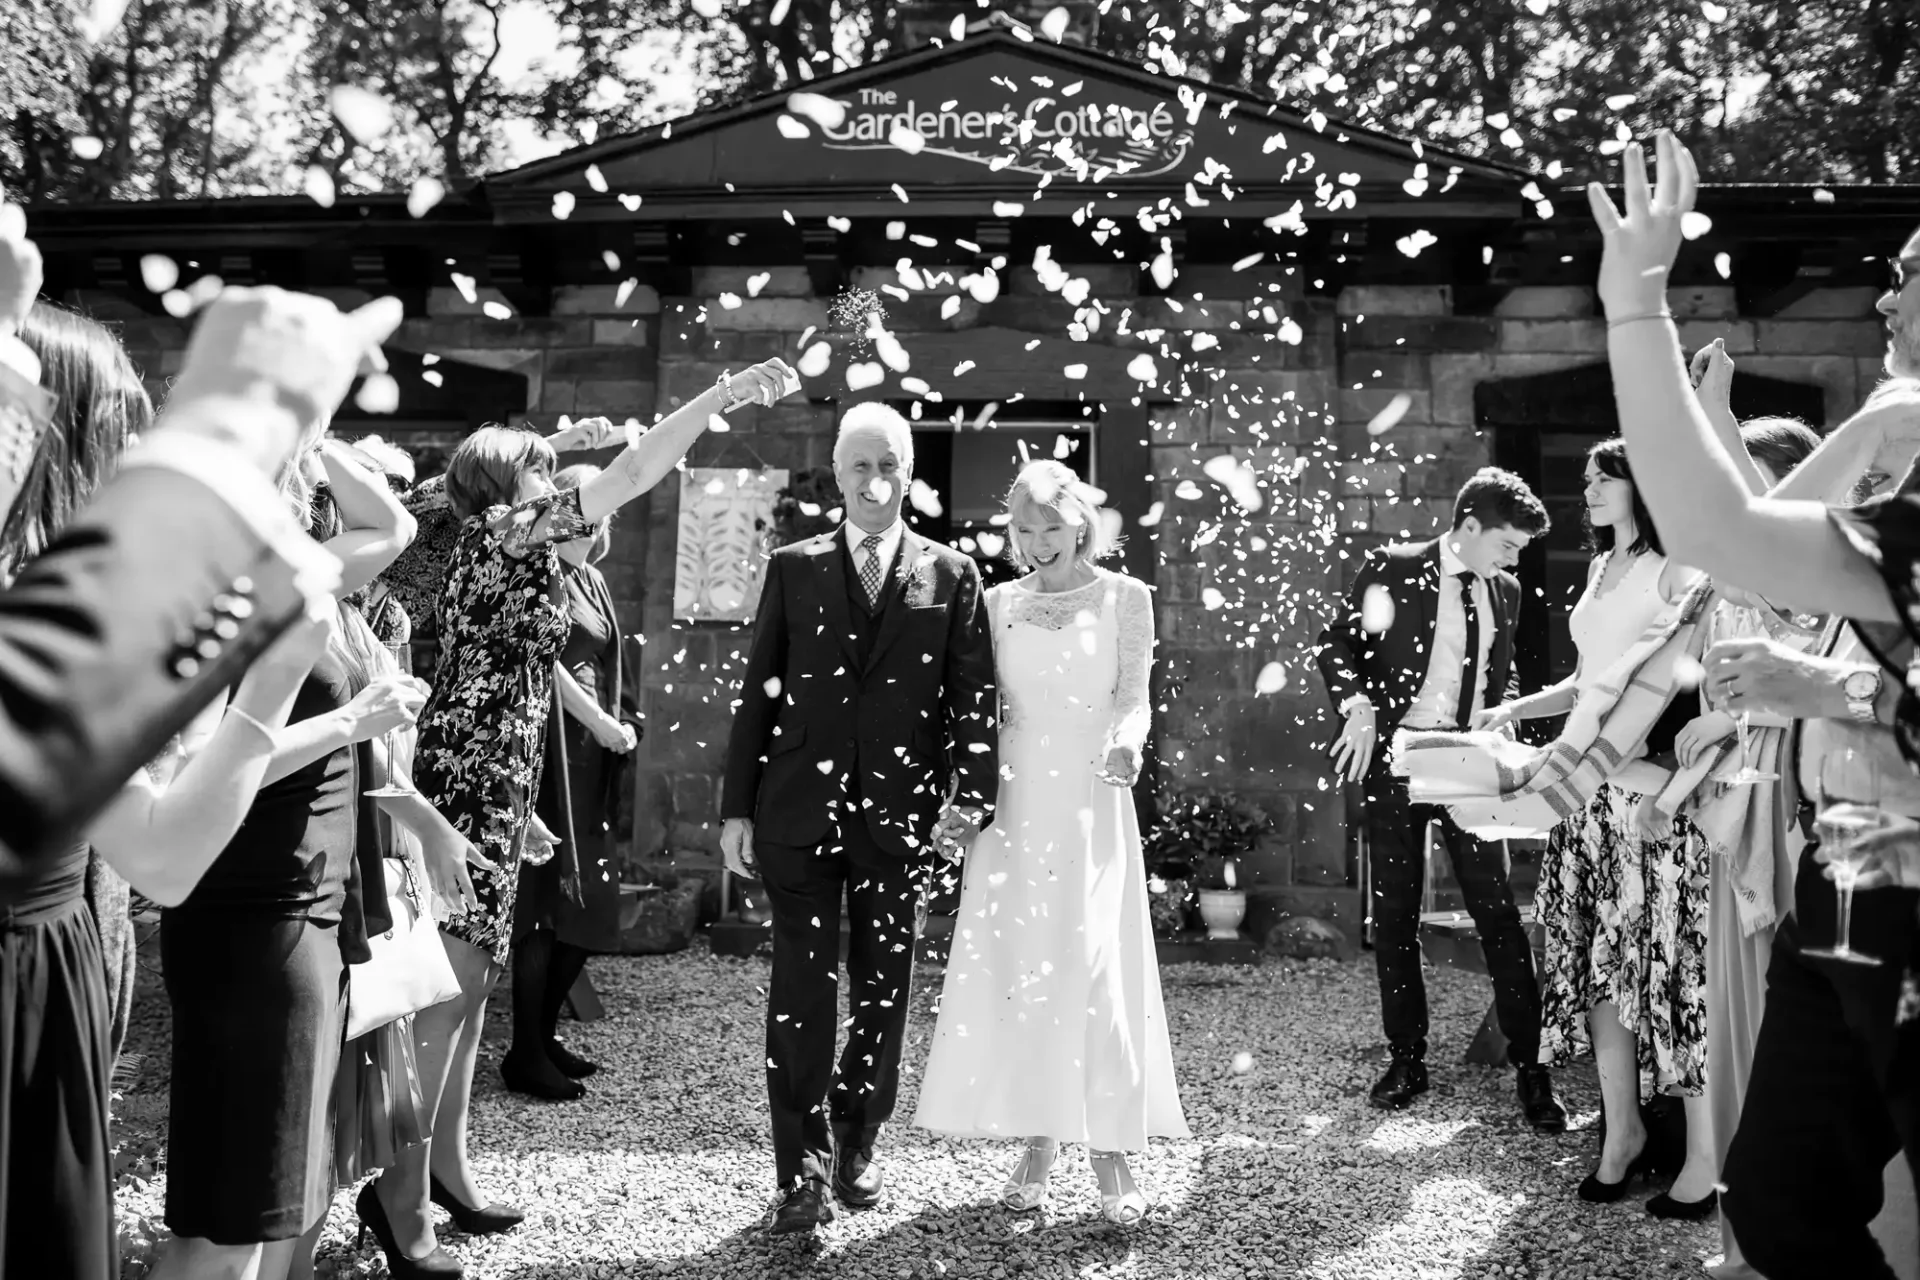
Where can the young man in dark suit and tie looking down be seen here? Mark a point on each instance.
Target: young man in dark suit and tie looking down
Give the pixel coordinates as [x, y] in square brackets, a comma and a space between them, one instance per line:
[1424, 644]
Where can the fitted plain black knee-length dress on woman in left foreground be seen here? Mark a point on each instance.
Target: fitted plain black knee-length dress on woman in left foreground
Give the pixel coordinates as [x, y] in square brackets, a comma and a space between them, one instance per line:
[256, 976]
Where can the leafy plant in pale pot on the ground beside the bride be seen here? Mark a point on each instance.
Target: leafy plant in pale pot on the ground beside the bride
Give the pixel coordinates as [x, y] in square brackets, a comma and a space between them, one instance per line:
[1195, 845]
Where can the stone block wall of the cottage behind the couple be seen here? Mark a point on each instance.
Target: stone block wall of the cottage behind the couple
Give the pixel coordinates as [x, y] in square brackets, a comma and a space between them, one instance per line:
[1259, 371]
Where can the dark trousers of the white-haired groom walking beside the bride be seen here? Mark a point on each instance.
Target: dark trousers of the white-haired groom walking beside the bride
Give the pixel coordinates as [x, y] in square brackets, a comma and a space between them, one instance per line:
[804, 889]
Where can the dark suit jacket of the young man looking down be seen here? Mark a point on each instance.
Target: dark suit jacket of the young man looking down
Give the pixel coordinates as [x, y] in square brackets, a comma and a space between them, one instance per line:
[1393, 667]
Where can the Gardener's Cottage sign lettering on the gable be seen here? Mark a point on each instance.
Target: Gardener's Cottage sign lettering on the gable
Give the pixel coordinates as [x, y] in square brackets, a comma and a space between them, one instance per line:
[1047, 135]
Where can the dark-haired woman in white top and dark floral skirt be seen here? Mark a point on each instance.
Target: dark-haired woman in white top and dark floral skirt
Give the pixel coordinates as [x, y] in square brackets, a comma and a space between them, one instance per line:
[1621, 903]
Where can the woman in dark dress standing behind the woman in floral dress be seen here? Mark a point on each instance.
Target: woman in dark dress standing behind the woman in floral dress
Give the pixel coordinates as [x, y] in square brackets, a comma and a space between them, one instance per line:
[569, 909]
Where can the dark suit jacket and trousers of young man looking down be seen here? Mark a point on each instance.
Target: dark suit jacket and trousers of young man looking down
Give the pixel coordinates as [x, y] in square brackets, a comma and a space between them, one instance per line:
[1391, 669]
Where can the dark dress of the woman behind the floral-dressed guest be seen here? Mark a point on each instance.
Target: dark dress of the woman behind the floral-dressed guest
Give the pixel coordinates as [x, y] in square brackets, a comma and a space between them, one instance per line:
[579, 788]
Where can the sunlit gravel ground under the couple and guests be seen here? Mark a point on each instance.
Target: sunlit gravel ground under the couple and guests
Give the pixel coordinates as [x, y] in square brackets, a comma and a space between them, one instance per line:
[665, 1170]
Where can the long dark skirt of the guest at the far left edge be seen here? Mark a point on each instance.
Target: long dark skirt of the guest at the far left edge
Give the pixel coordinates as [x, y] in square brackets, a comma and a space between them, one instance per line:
[57, 1179]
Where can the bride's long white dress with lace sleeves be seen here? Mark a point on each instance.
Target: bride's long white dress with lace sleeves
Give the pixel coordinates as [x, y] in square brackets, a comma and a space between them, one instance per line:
[1051, 1020]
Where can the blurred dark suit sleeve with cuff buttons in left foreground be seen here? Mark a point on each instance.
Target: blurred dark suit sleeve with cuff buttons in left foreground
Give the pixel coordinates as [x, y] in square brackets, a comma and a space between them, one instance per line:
[153, 602]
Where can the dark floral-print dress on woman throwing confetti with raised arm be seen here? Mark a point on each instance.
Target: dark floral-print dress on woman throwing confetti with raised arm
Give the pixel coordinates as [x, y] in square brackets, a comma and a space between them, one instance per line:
[483, 736]
